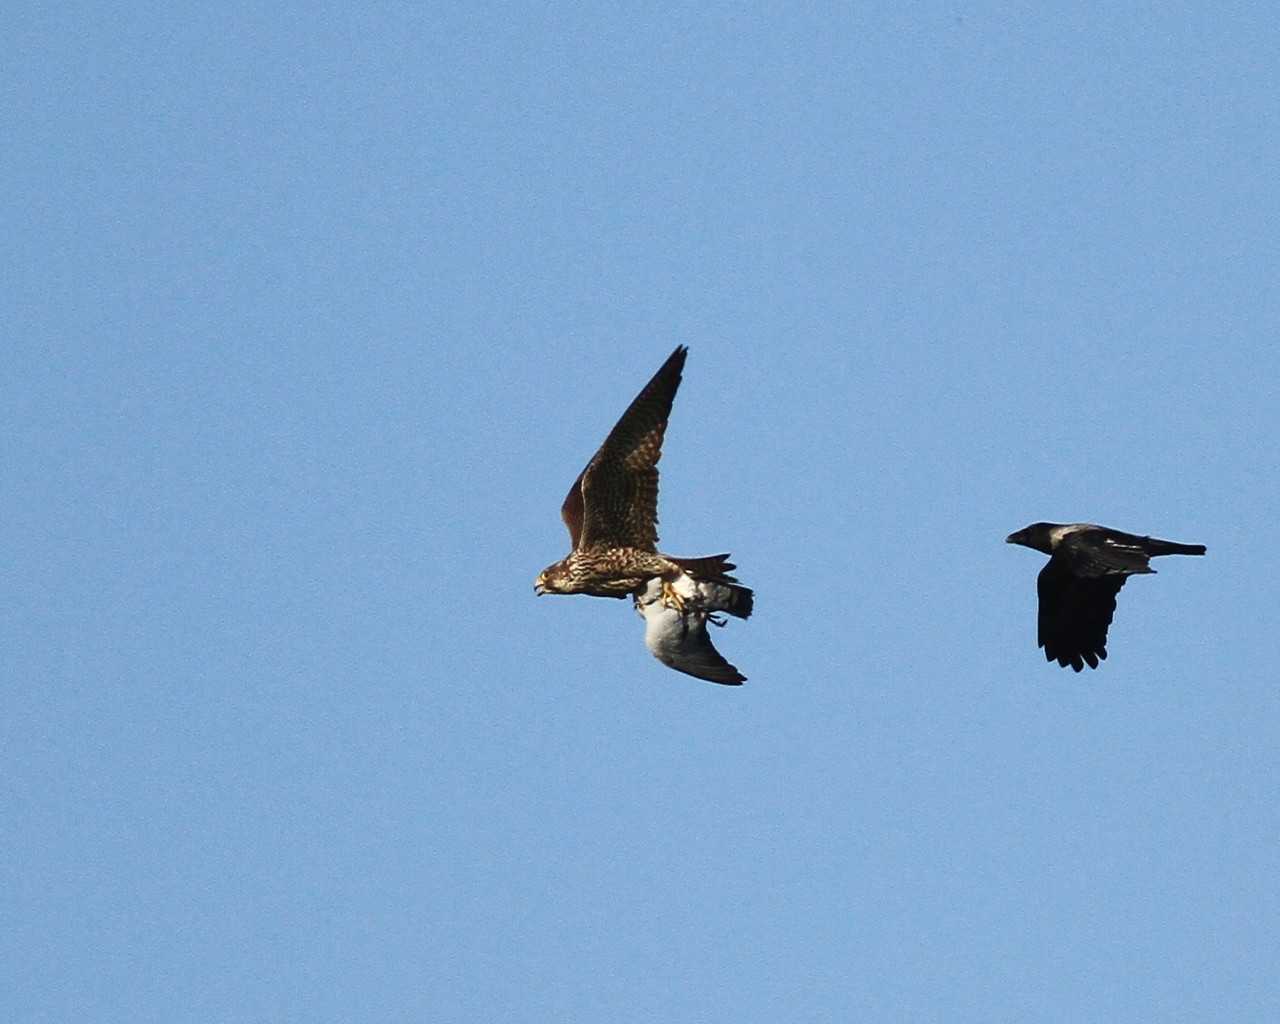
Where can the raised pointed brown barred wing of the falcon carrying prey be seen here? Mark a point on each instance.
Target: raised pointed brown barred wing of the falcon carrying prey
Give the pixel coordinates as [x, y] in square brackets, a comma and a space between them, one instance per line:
[614, 504]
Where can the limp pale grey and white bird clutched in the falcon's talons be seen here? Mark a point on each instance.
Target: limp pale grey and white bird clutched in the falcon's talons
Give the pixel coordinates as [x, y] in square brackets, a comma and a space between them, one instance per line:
[679, 638]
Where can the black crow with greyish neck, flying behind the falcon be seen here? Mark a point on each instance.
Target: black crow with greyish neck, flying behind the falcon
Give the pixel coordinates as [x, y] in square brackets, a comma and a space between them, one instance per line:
[1078, 587]
